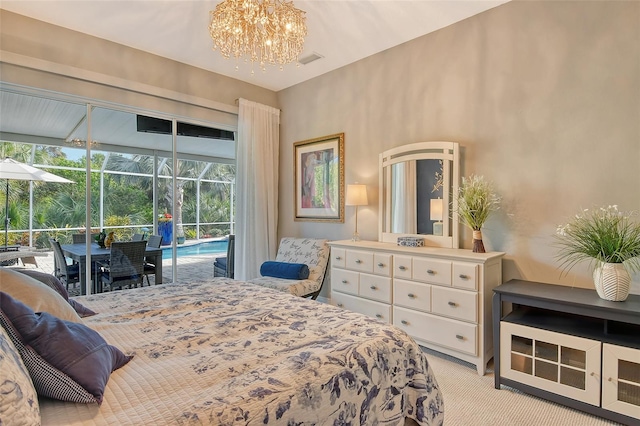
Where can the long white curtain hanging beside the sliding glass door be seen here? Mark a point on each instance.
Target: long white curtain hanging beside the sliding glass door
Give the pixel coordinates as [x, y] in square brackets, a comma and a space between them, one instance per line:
[256, 187]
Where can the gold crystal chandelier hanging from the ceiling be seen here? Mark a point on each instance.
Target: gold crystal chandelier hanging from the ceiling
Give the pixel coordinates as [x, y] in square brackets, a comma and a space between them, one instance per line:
[263, 31]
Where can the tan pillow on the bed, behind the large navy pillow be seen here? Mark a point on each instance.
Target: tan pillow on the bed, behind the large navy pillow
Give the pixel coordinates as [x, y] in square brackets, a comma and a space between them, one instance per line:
[36, 295]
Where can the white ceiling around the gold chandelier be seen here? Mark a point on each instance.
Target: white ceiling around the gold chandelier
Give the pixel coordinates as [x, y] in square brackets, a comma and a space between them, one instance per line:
[342, 31]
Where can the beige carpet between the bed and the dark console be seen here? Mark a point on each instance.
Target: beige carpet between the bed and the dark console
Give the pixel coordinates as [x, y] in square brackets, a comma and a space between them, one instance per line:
[472, 400]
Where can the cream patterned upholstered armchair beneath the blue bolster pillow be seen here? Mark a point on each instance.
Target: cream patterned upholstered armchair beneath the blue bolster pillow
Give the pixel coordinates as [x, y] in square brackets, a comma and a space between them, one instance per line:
[308, 251]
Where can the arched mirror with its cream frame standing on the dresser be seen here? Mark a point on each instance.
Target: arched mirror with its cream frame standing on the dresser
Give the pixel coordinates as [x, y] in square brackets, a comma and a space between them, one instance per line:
[417, 187]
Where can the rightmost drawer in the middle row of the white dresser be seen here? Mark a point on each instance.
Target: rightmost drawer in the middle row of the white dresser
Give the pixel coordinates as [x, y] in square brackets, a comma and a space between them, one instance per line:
[454, 303]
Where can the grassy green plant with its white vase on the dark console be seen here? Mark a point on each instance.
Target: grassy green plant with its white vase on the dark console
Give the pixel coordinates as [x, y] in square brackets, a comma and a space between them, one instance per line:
[609, 240]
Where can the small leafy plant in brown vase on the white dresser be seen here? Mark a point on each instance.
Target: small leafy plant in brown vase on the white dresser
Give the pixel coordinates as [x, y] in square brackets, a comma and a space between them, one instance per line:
[476, 201]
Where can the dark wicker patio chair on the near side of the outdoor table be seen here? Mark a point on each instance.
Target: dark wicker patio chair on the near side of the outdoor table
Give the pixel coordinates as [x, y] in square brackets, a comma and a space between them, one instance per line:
[125, 267]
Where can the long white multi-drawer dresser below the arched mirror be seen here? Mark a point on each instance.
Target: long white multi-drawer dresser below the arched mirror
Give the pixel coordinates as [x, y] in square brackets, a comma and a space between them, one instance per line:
[439, 296]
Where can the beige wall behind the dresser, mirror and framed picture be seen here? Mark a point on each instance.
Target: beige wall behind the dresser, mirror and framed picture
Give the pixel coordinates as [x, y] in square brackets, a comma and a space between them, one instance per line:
[544, 98]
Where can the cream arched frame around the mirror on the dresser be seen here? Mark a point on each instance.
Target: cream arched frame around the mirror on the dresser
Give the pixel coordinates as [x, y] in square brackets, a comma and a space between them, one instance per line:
[449, 152]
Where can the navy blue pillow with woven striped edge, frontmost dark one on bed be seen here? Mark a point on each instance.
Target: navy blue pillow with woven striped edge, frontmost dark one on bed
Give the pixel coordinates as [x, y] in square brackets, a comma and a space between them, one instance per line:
[66, 360]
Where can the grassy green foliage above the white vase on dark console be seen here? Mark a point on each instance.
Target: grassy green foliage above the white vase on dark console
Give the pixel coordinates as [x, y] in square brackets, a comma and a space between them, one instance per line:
[600, 235]
